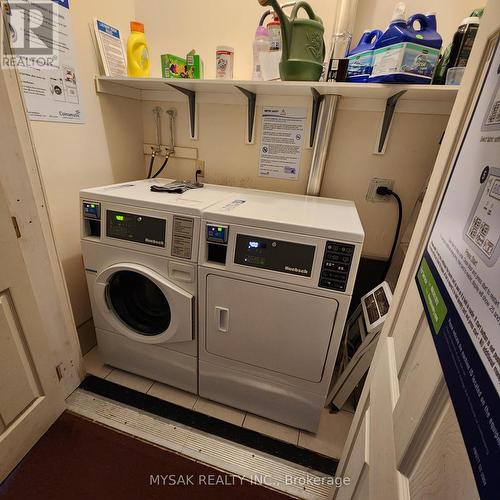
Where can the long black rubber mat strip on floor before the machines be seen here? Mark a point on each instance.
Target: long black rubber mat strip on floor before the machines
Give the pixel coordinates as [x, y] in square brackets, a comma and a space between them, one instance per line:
[202, 422]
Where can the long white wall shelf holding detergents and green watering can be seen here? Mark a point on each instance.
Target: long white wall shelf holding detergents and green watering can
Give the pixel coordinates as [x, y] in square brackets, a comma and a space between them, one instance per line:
[145, 88]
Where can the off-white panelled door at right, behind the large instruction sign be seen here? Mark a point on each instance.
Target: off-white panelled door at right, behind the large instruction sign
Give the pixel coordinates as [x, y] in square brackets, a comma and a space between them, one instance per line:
[405, 442]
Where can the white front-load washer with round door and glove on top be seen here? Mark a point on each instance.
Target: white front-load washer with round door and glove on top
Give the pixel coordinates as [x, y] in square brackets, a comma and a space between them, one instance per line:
[140, 251]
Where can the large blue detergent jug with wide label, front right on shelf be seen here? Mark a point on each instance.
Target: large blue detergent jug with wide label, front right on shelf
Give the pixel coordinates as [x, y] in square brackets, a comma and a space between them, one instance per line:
[404, 54]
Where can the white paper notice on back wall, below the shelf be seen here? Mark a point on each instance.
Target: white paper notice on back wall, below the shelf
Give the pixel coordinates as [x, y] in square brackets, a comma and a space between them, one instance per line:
[281, 142]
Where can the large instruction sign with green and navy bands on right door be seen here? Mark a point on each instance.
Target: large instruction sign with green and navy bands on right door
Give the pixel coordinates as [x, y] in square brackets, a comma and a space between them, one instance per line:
[459, 283]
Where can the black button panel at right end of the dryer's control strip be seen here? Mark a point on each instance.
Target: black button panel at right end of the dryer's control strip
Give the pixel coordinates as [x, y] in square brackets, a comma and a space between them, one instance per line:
[336, 265]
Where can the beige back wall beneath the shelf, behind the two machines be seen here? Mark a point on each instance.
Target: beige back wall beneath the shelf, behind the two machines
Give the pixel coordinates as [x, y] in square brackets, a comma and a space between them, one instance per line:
[411, 150]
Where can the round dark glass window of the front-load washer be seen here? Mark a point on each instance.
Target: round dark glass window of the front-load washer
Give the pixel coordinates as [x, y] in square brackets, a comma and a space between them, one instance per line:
[139, 302]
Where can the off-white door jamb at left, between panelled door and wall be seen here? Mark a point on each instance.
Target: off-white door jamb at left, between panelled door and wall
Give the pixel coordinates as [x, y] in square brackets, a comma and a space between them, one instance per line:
[21, 181]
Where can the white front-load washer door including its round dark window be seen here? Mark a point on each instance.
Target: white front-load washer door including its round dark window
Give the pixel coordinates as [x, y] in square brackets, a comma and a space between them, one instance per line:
[143, 305]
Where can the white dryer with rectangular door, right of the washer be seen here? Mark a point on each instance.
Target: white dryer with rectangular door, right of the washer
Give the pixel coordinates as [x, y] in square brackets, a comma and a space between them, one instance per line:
[276, 274]
